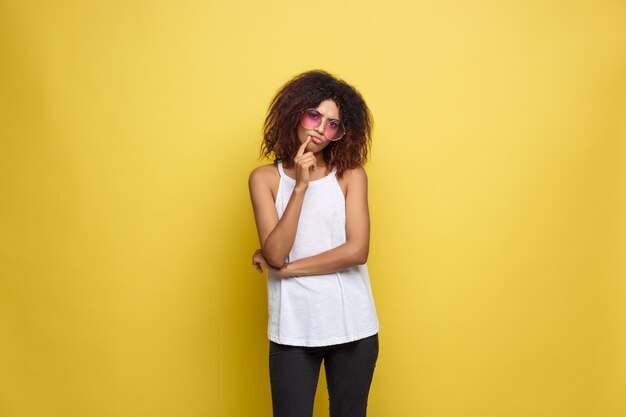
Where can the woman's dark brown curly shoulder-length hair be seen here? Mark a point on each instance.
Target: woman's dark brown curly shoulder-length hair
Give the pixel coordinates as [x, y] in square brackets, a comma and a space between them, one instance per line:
[309, 89]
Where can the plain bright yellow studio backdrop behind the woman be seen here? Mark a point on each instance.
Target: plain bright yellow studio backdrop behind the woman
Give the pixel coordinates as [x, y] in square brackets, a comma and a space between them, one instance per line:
[497, 191]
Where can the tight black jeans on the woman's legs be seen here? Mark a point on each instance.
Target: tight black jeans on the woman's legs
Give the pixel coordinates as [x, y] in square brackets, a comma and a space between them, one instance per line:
[349, 367]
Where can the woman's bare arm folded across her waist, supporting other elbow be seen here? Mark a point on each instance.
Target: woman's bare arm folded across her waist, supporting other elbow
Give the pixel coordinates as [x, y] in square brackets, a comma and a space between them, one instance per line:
[355, 250]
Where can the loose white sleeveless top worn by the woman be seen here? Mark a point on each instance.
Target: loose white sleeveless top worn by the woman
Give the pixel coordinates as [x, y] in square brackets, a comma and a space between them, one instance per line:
[319, 310]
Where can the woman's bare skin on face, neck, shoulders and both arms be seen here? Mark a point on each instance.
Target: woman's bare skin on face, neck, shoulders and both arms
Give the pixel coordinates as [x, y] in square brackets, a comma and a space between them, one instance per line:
[278, 235]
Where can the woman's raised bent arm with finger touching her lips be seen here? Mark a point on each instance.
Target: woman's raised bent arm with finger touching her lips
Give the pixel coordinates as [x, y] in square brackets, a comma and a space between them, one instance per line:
[277, 236]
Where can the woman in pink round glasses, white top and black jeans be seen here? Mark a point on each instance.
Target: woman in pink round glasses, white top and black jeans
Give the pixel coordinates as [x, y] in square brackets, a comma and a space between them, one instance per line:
[312, 218]
